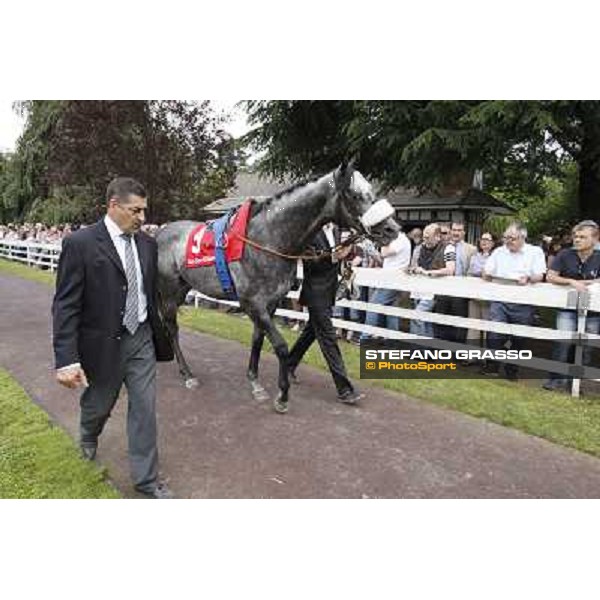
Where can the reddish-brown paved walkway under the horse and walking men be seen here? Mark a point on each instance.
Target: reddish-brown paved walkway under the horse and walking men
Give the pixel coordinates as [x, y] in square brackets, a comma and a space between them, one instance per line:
[217, 442]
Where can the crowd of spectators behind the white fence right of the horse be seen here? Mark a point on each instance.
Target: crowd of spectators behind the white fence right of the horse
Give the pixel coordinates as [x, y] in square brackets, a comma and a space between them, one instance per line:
[570, 258]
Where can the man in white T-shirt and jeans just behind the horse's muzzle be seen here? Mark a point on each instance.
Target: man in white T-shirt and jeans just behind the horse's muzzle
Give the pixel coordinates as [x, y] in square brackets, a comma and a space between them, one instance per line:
[396, 258]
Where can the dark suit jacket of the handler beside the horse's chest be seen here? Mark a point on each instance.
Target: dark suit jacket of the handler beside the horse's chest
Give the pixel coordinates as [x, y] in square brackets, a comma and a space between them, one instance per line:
[320, 276]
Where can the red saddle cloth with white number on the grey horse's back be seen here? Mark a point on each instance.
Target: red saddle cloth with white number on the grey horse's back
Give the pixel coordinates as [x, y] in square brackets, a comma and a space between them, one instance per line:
[200, 249]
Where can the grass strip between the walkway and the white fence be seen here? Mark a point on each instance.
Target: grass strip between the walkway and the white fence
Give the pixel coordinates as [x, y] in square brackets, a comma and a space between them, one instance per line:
[557, 417]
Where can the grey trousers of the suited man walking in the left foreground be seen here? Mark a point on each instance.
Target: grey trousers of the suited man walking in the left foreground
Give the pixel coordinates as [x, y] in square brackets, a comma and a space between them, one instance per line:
[138, 372]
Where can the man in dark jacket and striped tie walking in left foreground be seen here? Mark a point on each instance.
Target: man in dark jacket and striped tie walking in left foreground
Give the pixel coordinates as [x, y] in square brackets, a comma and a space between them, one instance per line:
[107, 331]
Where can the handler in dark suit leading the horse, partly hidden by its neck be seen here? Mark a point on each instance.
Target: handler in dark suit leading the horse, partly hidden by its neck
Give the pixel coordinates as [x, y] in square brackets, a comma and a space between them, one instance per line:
[319, 287]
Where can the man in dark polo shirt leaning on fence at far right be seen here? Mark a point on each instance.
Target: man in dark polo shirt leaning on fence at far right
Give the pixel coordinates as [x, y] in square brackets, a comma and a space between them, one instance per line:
[577, 267]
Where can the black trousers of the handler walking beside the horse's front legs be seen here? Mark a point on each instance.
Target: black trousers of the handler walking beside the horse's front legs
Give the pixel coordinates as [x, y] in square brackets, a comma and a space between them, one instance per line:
[320, 327]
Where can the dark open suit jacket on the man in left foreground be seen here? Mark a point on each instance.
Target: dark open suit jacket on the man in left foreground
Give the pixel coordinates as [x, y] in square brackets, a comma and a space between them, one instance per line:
[89, 303]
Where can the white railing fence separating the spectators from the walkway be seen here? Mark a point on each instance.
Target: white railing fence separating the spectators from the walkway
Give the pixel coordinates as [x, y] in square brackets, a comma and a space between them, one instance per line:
[540, 294]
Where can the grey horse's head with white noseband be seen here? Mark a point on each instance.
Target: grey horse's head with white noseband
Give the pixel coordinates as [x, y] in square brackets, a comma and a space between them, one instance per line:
[356, 207]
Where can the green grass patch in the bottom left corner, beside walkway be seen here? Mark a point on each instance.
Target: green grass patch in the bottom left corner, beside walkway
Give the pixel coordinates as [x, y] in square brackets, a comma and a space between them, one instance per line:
[38, 459]
